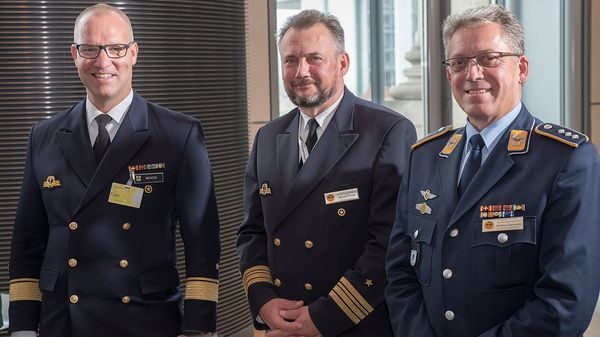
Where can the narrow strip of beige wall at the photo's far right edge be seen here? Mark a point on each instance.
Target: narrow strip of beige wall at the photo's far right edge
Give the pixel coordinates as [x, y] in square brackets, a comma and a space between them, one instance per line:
[595, 72]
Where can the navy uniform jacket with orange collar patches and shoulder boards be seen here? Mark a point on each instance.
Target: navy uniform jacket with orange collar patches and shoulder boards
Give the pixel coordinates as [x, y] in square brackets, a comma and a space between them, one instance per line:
[475, 273]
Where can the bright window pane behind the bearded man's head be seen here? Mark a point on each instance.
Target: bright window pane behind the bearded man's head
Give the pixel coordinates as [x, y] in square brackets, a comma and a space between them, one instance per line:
[353, 15]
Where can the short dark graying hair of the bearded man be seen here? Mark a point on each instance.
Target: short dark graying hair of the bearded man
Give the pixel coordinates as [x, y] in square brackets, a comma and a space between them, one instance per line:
[310, 17]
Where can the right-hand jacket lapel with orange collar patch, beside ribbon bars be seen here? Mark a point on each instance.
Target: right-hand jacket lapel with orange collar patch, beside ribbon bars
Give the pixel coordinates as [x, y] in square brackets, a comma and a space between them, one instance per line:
[494, 168]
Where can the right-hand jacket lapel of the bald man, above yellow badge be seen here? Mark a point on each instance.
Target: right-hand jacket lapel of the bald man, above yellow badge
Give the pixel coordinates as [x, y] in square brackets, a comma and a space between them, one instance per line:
[132, 134]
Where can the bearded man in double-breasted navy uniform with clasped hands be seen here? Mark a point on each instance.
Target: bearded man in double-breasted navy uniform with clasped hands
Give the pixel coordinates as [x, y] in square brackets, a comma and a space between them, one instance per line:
[321, 185]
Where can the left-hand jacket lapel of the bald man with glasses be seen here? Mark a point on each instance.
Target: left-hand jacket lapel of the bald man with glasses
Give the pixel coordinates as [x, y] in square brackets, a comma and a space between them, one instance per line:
[74, 140]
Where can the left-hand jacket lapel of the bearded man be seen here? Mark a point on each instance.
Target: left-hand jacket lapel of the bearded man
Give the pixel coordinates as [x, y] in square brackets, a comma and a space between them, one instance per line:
[287, 151]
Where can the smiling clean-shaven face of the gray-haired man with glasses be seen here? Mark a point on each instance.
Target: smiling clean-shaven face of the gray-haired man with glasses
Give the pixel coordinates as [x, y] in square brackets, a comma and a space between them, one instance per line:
[486, 94]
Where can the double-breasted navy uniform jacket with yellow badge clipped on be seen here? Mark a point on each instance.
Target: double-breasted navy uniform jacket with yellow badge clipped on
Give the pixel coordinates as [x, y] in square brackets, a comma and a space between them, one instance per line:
[102, 269]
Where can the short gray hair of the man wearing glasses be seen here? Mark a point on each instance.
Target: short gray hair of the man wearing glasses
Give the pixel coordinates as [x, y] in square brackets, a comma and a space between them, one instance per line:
[513, 30]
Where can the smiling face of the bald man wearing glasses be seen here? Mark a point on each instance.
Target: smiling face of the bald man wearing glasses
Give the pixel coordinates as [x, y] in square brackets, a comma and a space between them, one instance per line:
[107, 81]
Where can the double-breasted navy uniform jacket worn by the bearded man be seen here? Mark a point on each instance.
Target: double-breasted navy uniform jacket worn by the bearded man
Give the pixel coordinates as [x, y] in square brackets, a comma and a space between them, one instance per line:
[295, 244]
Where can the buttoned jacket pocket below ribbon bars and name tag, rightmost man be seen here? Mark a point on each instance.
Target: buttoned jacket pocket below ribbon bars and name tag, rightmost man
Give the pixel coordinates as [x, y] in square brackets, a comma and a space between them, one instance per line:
[505, 259]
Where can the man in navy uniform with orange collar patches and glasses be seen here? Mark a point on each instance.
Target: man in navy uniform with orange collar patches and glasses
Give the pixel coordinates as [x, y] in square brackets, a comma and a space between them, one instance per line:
[497, 229]
